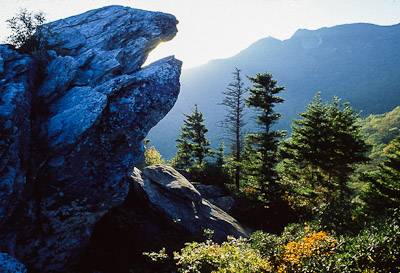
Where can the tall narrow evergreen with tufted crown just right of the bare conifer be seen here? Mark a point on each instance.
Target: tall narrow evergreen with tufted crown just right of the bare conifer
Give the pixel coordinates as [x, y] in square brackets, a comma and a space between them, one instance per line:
[263, 97]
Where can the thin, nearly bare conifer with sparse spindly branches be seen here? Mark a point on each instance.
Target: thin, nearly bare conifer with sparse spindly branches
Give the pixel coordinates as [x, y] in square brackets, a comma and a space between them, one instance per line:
[234, 120]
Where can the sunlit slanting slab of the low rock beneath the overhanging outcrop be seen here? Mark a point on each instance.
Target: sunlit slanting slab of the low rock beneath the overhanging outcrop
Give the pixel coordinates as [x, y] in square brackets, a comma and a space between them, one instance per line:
[171, 196]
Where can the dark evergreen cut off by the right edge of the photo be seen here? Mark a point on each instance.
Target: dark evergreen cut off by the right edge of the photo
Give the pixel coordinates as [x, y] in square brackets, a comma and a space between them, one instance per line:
[384, 189]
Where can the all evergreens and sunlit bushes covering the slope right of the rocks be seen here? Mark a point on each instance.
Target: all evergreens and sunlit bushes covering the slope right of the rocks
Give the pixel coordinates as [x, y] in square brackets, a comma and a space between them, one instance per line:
[344, 218]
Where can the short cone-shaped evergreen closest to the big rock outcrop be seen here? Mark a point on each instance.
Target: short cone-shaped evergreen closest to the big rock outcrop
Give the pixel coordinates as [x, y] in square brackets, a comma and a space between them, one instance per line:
[193, 144]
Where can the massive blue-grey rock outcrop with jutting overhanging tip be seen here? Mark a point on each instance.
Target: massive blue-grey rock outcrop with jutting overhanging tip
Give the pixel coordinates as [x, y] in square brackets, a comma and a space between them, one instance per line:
[71, 128]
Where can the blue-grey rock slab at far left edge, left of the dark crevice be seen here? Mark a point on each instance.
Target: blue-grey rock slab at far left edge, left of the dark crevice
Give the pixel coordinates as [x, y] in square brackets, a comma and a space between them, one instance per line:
[16, 77]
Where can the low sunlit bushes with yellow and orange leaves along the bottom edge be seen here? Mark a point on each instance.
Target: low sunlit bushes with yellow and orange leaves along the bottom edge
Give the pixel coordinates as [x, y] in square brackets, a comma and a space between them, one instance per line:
[300, 248]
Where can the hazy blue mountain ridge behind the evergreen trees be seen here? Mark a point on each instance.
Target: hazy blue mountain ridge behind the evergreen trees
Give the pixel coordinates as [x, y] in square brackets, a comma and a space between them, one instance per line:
[359, 63]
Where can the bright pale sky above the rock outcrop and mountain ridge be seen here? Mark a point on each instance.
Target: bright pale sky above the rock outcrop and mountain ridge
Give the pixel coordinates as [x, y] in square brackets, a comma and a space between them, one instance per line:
[212, 29]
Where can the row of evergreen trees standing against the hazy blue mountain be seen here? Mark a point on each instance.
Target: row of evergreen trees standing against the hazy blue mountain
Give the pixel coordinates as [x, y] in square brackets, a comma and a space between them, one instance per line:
[311, 168]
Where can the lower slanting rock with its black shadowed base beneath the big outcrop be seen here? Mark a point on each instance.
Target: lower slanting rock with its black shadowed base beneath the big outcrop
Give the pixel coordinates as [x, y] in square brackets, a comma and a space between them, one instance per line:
[162, 210]
